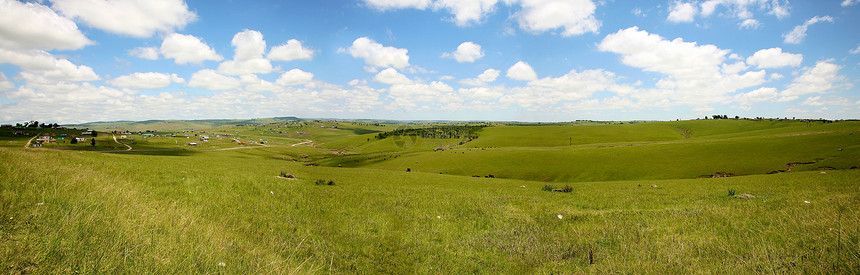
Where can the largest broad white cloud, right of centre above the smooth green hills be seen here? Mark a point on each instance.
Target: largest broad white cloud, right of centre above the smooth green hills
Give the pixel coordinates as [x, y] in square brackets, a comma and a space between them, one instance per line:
[695, 74]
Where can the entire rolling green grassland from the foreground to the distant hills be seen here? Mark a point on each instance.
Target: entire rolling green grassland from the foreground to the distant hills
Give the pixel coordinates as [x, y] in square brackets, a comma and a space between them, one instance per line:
[638, 202]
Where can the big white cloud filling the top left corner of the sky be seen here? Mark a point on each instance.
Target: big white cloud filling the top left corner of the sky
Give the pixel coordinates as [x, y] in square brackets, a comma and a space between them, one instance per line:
[31, 25]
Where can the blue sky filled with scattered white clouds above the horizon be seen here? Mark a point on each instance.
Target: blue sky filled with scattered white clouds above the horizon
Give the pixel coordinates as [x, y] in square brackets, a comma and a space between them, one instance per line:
[74, 61]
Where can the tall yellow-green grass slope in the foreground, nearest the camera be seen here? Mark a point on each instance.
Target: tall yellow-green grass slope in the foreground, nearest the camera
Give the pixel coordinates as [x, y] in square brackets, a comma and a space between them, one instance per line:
[225, 212]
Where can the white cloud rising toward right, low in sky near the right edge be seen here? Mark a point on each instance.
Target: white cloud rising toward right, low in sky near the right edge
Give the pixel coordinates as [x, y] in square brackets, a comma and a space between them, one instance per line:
[822, 78]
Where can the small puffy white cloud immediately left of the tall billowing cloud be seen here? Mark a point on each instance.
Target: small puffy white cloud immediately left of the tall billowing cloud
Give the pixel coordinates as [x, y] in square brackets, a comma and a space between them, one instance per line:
[184, 48]
